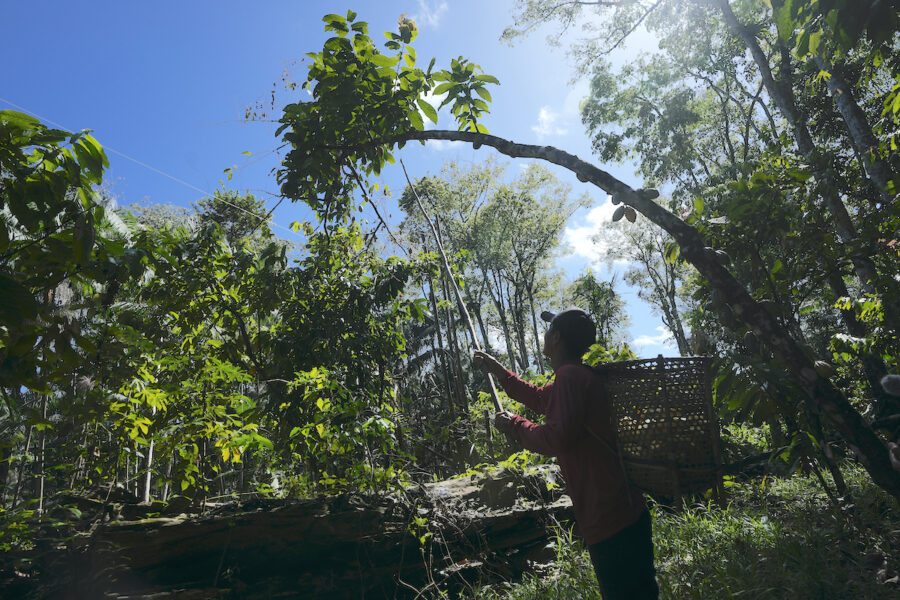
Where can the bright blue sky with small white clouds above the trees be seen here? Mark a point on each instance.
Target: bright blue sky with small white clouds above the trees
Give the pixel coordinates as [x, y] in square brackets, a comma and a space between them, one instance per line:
[167, 85]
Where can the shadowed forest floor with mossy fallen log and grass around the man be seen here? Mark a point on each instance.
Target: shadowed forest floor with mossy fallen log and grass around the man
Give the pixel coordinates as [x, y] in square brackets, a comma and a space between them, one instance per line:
[500, 535]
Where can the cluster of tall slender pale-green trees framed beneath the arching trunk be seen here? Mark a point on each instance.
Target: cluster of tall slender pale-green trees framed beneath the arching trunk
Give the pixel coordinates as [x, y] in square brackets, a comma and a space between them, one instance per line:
[505, 235]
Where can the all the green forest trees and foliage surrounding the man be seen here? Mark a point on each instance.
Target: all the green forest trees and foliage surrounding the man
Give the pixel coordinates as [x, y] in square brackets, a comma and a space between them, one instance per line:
[204, 358]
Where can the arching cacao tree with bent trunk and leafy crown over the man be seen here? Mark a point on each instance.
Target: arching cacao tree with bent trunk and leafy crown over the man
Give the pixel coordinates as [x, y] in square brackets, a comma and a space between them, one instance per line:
[365, 102]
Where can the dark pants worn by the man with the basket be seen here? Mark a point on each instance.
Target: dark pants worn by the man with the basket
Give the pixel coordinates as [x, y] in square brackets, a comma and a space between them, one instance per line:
[624, 563]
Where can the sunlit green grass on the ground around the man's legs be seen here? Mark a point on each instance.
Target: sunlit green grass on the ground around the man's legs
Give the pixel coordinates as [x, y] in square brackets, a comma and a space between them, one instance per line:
[775, 539]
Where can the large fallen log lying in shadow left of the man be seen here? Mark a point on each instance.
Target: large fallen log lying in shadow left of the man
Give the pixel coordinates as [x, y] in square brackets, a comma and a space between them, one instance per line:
[446, 536]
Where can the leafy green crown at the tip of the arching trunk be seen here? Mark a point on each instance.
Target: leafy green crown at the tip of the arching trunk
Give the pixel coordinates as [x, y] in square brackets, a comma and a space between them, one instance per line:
[364, 101]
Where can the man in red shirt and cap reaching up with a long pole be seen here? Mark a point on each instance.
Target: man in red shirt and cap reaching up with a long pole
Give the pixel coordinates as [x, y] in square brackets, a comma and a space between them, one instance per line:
[611, 515]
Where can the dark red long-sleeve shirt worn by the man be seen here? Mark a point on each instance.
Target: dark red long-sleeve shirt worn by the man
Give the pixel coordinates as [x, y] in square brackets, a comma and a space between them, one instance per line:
[604, 503]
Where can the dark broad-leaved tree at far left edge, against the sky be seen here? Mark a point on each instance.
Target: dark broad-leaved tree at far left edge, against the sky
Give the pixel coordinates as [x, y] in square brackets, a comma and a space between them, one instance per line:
[52, 229]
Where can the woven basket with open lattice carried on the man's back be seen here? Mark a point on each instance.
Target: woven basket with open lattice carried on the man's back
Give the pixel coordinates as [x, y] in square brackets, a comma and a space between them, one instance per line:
[666, 430]
